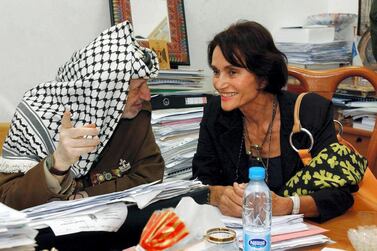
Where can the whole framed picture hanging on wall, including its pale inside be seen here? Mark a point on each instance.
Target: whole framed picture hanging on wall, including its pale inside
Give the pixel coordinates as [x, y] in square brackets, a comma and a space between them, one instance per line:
[157, 20]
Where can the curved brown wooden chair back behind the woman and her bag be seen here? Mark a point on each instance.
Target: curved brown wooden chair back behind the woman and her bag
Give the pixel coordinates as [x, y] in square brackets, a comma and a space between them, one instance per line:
[325, 83]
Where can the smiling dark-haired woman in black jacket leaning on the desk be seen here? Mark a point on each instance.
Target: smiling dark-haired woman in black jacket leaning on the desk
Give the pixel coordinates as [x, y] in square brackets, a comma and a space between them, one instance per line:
[249, 125]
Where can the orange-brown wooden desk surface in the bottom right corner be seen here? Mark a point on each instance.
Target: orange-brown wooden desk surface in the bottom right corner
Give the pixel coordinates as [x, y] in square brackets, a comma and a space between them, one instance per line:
[339, 226]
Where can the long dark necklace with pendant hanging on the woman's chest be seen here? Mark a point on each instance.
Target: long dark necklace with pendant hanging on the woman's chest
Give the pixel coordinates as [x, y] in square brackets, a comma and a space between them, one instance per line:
[255, 150]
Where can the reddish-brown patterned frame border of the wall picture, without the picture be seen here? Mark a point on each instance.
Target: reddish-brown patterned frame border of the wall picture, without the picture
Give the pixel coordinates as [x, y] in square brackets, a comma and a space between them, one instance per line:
[120, 10]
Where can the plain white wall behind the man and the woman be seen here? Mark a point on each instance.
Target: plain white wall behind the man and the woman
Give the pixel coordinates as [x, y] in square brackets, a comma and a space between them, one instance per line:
[38, 36]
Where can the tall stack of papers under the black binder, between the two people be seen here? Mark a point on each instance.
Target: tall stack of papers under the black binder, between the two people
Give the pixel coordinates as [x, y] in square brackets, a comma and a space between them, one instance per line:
[177, 133]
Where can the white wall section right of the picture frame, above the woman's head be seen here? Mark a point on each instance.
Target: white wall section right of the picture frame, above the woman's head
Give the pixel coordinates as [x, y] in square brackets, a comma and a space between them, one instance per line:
[205, 18]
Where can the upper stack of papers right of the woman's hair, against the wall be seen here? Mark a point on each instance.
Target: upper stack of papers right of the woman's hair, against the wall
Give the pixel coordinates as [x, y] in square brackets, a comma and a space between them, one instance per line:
[317, 53]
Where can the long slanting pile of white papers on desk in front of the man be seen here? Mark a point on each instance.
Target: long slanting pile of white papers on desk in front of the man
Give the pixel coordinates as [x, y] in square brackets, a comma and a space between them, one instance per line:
[57, 214]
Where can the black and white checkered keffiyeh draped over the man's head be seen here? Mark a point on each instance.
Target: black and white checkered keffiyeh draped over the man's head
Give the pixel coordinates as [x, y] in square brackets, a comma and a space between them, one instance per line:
[93, 84]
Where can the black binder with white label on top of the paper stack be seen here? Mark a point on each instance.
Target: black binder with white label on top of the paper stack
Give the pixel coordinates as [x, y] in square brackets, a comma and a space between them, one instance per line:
[168, 101]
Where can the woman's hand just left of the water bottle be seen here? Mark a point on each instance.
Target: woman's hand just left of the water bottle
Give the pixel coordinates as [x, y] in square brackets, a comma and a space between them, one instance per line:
[228, 198]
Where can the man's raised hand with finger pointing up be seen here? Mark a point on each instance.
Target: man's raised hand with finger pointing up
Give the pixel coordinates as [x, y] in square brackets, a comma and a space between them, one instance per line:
[73, 142]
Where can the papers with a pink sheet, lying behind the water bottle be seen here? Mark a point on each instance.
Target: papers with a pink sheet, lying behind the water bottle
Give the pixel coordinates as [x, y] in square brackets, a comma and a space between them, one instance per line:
[287, 232]
